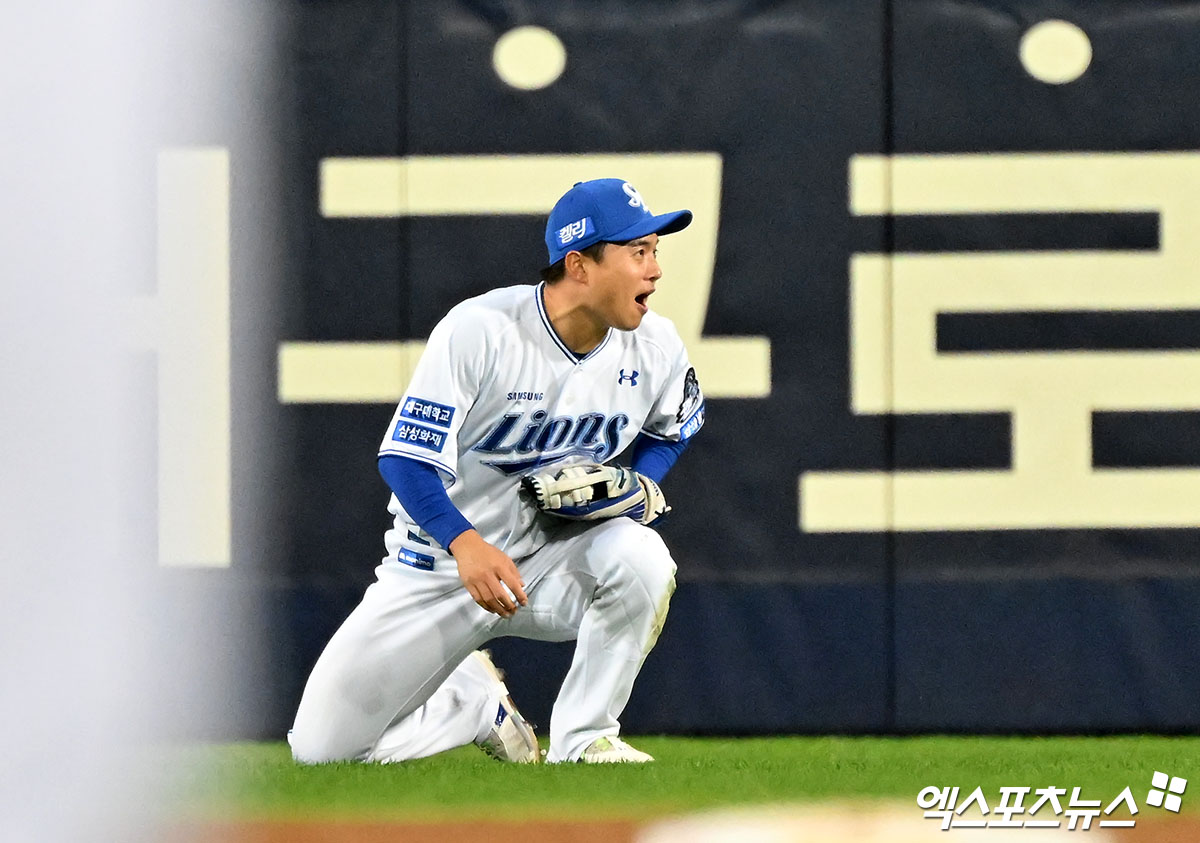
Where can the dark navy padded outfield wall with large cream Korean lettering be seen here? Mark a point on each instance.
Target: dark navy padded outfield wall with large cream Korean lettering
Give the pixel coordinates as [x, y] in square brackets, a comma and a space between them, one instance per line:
[943, 295]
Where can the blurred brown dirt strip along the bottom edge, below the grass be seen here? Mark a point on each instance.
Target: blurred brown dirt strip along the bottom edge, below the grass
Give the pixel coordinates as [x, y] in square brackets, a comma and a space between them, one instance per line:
[1185, 830]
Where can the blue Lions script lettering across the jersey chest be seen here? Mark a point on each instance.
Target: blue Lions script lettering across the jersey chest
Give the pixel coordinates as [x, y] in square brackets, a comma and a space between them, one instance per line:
[549, 440]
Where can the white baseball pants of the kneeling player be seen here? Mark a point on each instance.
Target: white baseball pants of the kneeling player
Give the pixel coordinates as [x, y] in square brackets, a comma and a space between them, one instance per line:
[395, 684]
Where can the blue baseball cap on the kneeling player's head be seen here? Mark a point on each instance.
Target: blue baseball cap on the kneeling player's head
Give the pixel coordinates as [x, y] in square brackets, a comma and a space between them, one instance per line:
[604, 210]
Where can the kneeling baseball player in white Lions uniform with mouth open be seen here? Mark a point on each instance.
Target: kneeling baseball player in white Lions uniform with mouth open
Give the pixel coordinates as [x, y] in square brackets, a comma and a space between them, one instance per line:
[511, 517]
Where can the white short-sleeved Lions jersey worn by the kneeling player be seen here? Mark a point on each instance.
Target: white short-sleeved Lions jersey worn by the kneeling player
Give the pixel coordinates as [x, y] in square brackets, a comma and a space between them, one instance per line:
[499, 396]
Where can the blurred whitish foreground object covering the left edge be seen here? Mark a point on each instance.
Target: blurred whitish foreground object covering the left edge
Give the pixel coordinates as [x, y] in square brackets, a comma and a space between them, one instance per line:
[91, 95]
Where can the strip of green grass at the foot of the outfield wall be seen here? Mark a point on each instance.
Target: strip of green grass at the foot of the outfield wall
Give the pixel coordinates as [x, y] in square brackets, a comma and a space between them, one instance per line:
[259, 781]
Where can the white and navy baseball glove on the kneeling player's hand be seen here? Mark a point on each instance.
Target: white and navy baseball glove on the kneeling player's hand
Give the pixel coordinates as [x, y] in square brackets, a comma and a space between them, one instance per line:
[590, 493]
